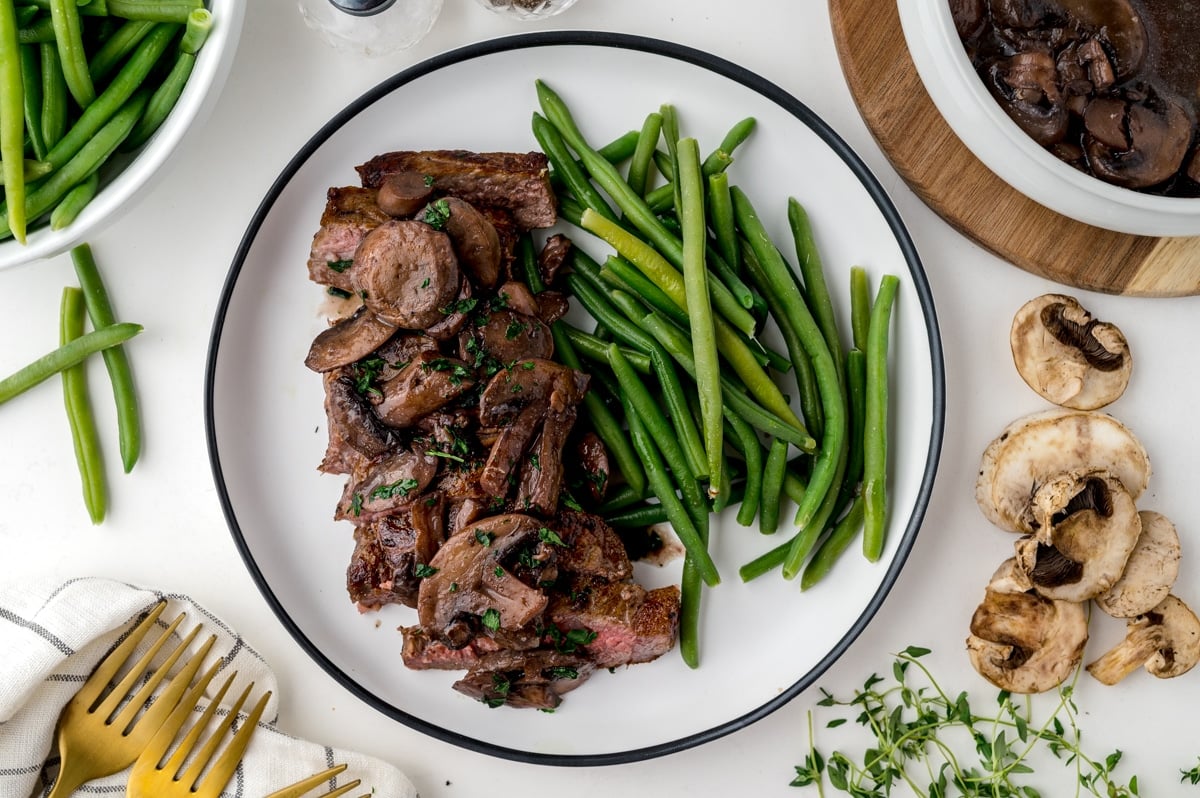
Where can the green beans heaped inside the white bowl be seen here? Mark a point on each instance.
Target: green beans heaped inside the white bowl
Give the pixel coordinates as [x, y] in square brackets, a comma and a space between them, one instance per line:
[81, 80]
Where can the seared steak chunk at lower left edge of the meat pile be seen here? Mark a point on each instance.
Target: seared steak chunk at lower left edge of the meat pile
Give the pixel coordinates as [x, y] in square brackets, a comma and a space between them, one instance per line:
[388, 553]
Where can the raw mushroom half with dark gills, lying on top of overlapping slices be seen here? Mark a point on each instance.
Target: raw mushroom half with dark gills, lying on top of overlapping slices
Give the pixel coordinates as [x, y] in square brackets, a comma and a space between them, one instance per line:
[1088, 526]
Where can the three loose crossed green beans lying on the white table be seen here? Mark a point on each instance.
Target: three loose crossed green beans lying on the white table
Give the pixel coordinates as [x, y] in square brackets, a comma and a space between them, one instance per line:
[91, 301]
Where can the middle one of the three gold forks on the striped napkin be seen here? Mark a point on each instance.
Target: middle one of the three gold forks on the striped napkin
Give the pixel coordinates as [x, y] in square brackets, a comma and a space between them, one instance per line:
[155, 776]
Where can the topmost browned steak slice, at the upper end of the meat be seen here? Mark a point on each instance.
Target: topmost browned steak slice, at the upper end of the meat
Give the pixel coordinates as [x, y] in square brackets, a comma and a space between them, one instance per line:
[519, 183]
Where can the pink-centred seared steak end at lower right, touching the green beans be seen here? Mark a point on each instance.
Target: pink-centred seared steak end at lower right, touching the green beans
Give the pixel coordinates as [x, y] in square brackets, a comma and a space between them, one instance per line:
[631, 623]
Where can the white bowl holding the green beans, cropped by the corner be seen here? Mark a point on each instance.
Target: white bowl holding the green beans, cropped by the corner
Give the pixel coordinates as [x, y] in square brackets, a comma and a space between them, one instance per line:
[124, 177]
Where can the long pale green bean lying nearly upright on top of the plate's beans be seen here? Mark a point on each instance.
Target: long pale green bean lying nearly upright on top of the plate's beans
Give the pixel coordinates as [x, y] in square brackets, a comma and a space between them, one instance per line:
[700, 313]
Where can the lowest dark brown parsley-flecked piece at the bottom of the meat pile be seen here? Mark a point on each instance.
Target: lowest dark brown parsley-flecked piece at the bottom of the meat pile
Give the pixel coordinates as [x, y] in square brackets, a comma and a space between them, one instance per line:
[525, 680]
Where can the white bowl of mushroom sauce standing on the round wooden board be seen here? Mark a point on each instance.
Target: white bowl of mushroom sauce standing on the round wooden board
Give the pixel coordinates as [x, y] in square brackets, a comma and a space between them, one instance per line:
[979, 121]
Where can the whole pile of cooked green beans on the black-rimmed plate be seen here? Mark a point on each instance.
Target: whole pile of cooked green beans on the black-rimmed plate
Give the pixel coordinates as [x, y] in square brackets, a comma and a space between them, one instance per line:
[685, 381]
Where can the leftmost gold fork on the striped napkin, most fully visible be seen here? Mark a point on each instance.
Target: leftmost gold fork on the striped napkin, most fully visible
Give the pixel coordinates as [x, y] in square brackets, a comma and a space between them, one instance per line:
[97, 735]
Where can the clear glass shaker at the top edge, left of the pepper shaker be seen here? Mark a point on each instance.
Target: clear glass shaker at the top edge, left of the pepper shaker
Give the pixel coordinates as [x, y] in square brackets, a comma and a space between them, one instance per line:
[371, 27]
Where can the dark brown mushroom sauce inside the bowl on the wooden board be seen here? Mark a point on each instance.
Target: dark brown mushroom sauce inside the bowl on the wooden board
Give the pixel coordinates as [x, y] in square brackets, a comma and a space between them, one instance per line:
[1111, 87]
